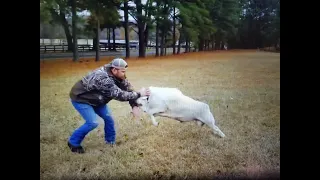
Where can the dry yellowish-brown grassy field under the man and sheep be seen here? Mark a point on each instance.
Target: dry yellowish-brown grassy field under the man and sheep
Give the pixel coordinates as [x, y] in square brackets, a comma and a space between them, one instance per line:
[242, 89]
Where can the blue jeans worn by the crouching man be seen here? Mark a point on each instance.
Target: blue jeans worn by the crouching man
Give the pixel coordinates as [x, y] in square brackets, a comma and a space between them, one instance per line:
[89, 113]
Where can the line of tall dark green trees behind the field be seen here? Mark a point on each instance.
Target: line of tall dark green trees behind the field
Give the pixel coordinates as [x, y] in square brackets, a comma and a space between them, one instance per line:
[206, 24]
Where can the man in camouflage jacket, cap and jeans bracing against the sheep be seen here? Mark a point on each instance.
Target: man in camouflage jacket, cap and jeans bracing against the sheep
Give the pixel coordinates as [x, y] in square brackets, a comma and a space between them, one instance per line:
[90, 96]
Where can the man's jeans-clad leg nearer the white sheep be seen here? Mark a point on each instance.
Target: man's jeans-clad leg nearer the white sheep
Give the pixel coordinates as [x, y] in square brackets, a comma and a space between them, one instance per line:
[109, 129]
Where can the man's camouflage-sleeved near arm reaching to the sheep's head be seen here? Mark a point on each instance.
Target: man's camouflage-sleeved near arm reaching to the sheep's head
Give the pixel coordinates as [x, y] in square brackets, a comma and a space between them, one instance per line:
[109, 89]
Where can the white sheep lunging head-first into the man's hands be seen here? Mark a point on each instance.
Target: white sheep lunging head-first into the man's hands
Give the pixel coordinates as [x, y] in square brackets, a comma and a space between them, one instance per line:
[172, 103]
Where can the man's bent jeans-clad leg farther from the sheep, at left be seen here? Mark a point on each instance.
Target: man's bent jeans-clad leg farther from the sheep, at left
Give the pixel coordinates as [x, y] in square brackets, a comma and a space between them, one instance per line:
[88, 114]
